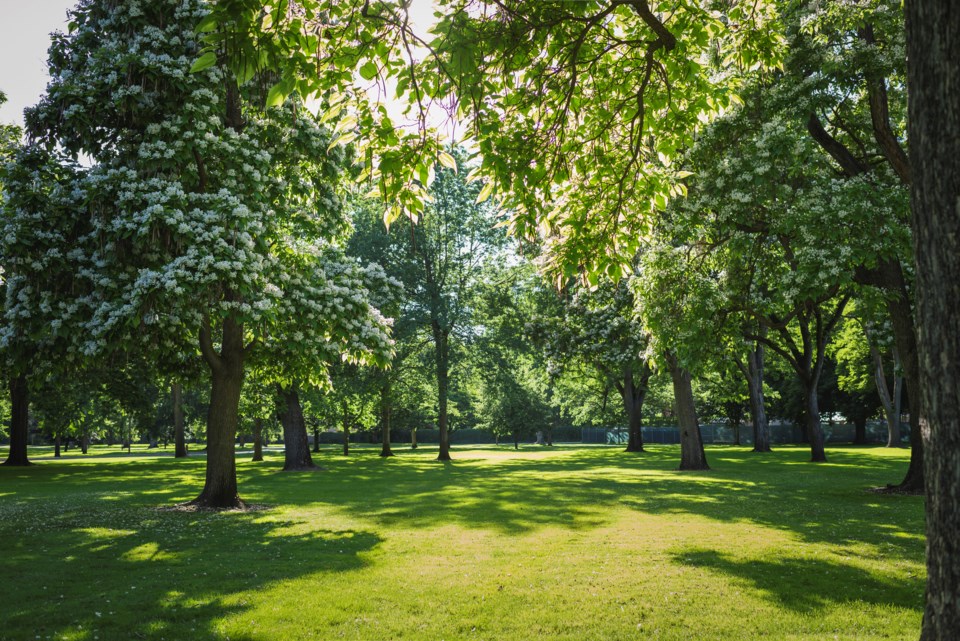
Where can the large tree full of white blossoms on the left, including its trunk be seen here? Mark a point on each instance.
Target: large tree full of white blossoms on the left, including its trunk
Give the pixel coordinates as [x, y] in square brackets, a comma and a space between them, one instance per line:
[214, 225]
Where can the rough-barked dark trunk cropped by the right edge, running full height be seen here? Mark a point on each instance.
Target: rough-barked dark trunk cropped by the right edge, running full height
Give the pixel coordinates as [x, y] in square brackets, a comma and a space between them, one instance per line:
[933, 74]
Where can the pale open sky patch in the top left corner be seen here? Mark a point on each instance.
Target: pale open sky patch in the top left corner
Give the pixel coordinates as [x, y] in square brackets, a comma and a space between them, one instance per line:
[25, 27]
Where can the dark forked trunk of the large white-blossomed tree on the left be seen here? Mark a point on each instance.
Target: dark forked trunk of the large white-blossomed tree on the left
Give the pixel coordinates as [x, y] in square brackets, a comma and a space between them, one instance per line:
[226, 368]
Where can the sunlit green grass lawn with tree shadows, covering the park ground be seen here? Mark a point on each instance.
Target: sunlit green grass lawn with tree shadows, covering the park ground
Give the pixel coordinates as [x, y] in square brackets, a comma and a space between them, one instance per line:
[575, 543]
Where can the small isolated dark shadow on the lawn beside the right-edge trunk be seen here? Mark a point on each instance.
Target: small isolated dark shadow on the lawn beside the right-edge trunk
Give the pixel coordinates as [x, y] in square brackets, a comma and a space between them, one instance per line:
[797, 583]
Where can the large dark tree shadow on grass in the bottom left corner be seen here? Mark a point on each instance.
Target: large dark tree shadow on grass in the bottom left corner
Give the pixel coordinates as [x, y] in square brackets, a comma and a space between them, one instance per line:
[144, 573]
